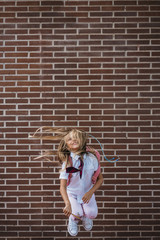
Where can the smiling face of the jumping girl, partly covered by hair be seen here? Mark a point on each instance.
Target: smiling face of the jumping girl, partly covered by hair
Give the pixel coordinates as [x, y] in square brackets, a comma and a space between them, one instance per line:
[72, 142]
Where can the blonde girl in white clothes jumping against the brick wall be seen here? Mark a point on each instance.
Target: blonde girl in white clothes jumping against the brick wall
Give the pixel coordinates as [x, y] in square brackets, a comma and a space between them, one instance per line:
[78, 166]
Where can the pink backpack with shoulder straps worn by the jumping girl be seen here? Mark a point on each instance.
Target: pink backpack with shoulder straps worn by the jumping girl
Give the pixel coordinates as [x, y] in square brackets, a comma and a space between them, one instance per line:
[96, 173]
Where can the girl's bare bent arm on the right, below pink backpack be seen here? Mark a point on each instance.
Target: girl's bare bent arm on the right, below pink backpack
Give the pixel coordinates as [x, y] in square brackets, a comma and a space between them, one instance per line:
[87, 196]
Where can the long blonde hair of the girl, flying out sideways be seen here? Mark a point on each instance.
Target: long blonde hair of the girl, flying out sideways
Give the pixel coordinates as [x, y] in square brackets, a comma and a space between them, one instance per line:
[61, 135]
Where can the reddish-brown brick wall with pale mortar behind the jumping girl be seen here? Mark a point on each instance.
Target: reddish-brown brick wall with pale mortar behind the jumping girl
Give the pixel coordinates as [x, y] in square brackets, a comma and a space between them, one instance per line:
[93, 64]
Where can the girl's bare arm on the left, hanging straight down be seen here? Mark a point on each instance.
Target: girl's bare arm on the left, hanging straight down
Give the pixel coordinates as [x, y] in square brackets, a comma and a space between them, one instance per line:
[63, 186]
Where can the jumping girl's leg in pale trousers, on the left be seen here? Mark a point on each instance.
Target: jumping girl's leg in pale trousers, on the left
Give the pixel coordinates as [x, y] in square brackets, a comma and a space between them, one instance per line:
[76, 207]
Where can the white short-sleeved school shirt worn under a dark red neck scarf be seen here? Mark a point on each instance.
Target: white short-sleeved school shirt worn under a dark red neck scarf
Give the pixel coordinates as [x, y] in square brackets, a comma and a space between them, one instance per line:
[79, 186]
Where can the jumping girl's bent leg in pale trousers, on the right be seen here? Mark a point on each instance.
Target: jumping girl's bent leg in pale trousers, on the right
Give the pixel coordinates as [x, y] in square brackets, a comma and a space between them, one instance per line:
[90, 209]
